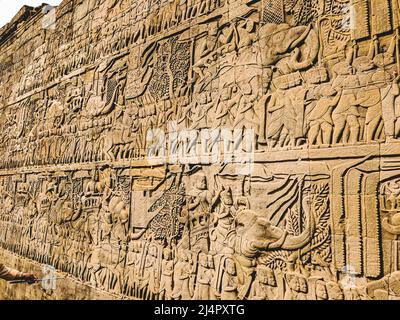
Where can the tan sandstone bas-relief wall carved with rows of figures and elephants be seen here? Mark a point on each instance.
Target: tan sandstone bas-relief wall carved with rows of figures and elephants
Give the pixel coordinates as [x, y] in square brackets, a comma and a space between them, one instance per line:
[101, 113]
